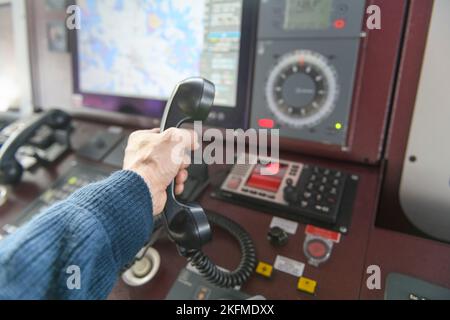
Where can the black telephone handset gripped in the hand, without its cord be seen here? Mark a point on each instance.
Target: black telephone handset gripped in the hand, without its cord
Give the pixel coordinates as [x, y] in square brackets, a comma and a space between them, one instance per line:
[187, 224]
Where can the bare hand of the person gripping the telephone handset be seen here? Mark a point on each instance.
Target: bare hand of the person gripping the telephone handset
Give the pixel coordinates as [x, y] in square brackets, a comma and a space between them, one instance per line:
[159, 158]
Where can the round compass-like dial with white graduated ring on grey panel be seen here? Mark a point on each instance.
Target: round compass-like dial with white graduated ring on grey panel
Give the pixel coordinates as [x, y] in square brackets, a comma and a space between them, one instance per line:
[302, 89]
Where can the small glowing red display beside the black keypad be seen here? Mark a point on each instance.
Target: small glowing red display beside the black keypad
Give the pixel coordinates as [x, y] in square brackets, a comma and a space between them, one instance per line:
[265, 182]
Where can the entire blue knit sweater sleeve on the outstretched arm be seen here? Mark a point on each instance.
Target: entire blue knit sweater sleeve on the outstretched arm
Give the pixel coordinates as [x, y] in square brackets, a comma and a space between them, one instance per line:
[76, 249]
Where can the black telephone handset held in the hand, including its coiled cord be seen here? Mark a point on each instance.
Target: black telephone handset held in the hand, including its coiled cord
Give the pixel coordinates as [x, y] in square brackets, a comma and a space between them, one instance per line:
[188, 225]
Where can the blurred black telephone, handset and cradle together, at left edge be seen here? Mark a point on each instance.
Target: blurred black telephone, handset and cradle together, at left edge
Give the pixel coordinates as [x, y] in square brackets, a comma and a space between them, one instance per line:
[47, 134]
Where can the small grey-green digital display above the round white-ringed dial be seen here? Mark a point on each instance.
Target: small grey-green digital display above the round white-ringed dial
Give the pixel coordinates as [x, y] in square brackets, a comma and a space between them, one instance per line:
[308, 14]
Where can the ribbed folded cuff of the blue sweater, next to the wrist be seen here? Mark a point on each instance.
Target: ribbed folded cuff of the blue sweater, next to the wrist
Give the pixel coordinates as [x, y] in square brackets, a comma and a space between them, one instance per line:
[122, 203]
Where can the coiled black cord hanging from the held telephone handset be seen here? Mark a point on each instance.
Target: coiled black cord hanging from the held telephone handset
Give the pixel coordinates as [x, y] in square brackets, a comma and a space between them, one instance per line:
[211, 272]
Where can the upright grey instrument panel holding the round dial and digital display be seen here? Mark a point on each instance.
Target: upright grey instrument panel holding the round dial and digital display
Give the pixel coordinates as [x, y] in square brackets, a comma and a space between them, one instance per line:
[306, 61]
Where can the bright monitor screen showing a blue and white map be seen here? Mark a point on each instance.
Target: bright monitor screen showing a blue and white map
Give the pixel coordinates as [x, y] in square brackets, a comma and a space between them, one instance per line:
[142, 49]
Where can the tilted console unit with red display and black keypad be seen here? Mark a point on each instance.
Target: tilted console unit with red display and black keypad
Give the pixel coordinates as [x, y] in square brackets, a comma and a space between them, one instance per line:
[301, 192]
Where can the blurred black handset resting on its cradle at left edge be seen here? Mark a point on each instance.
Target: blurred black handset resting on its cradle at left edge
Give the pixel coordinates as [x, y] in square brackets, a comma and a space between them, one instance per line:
[10, 169]
